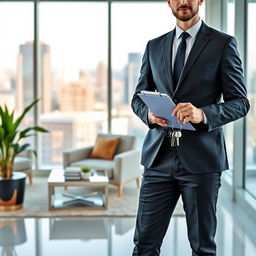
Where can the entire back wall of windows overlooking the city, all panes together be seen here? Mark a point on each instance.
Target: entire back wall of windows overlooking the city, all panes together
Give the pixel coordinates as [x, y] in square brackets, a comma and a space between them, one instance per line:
[73, 61]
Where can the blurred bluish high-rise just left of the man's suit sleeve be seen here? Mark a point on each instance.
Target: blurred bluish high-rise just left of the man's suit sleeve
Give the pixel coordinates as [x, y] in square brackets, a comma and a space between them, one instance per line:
[132, 71]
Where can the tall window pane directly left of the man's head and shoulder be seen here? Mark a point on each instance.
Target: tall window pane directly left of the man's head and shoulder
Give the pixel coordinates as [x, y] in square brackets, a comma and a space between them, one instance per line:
[128, 46]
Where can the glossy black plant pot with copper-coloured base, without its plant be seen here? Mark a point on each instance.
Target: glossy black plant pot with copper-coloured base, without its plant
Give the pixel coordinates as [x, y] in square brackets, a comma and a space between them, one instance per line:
[12, 192]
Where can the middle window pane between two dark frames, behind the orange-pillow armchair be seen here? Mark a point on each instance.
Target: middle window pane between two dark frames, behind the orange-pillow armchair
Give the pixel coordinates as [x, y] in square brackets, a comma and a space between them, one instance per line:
[73, 71]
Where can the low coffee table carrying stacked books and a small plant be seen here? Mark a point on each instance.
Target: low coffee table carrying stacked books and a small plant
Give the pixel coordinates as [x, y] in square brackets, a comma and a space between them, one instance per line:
[96, 199]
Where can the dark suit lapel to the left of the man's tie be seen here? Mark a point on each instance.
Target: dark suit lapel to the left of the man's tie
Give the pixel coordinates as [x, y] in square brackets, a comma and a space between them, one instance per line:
[167, 53]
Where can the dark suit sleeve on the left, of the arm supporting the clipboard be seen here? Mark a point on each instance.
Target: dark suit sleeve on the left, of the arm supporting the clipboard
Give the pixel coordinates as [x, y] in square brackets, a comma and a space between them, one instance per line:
[145, 82]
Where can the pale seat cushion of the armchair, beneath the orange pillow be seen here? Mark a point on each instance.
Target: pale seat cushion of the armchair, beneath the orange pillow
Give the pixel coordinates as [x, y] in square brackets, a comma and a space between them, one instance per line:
[107, 165]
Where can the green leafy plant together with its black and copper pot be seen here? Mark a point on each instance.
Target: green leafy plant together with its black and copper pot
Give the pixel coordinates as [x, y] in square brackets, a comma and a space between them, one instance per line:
[12, 185]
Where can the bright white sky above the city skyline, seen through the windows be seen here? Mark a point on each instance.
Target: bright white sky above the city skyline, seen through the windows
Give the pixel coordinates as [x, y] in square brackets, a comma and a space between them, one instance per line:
[77, 32]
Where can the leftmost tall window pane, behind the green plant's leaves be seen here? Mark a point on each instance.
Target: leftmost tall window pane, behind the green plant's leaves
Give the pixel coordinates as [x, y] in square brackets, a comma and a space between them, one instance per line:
[16, 57]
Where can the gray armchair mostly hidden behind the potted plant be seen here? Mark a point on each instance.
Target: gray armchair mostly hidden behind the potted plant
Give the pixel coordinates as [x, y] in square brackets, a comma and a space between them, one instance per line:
[23, 163]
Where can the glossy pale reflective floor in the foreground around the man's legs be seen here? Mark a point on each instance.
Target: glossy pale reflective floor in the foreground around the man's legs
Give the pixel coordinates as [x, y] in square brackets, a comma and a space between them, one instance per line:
[236, 235]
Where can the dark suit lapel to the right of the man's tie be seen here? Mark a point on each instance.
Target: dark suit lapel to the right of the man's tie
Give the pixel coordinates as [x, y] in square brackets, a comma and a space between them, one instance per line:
[202, 39]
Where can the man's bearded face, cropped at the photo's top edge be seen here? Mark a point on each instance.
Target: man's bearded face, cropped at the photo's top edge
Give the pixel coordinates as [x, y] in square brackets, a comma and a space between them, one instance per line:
[184, 10]
